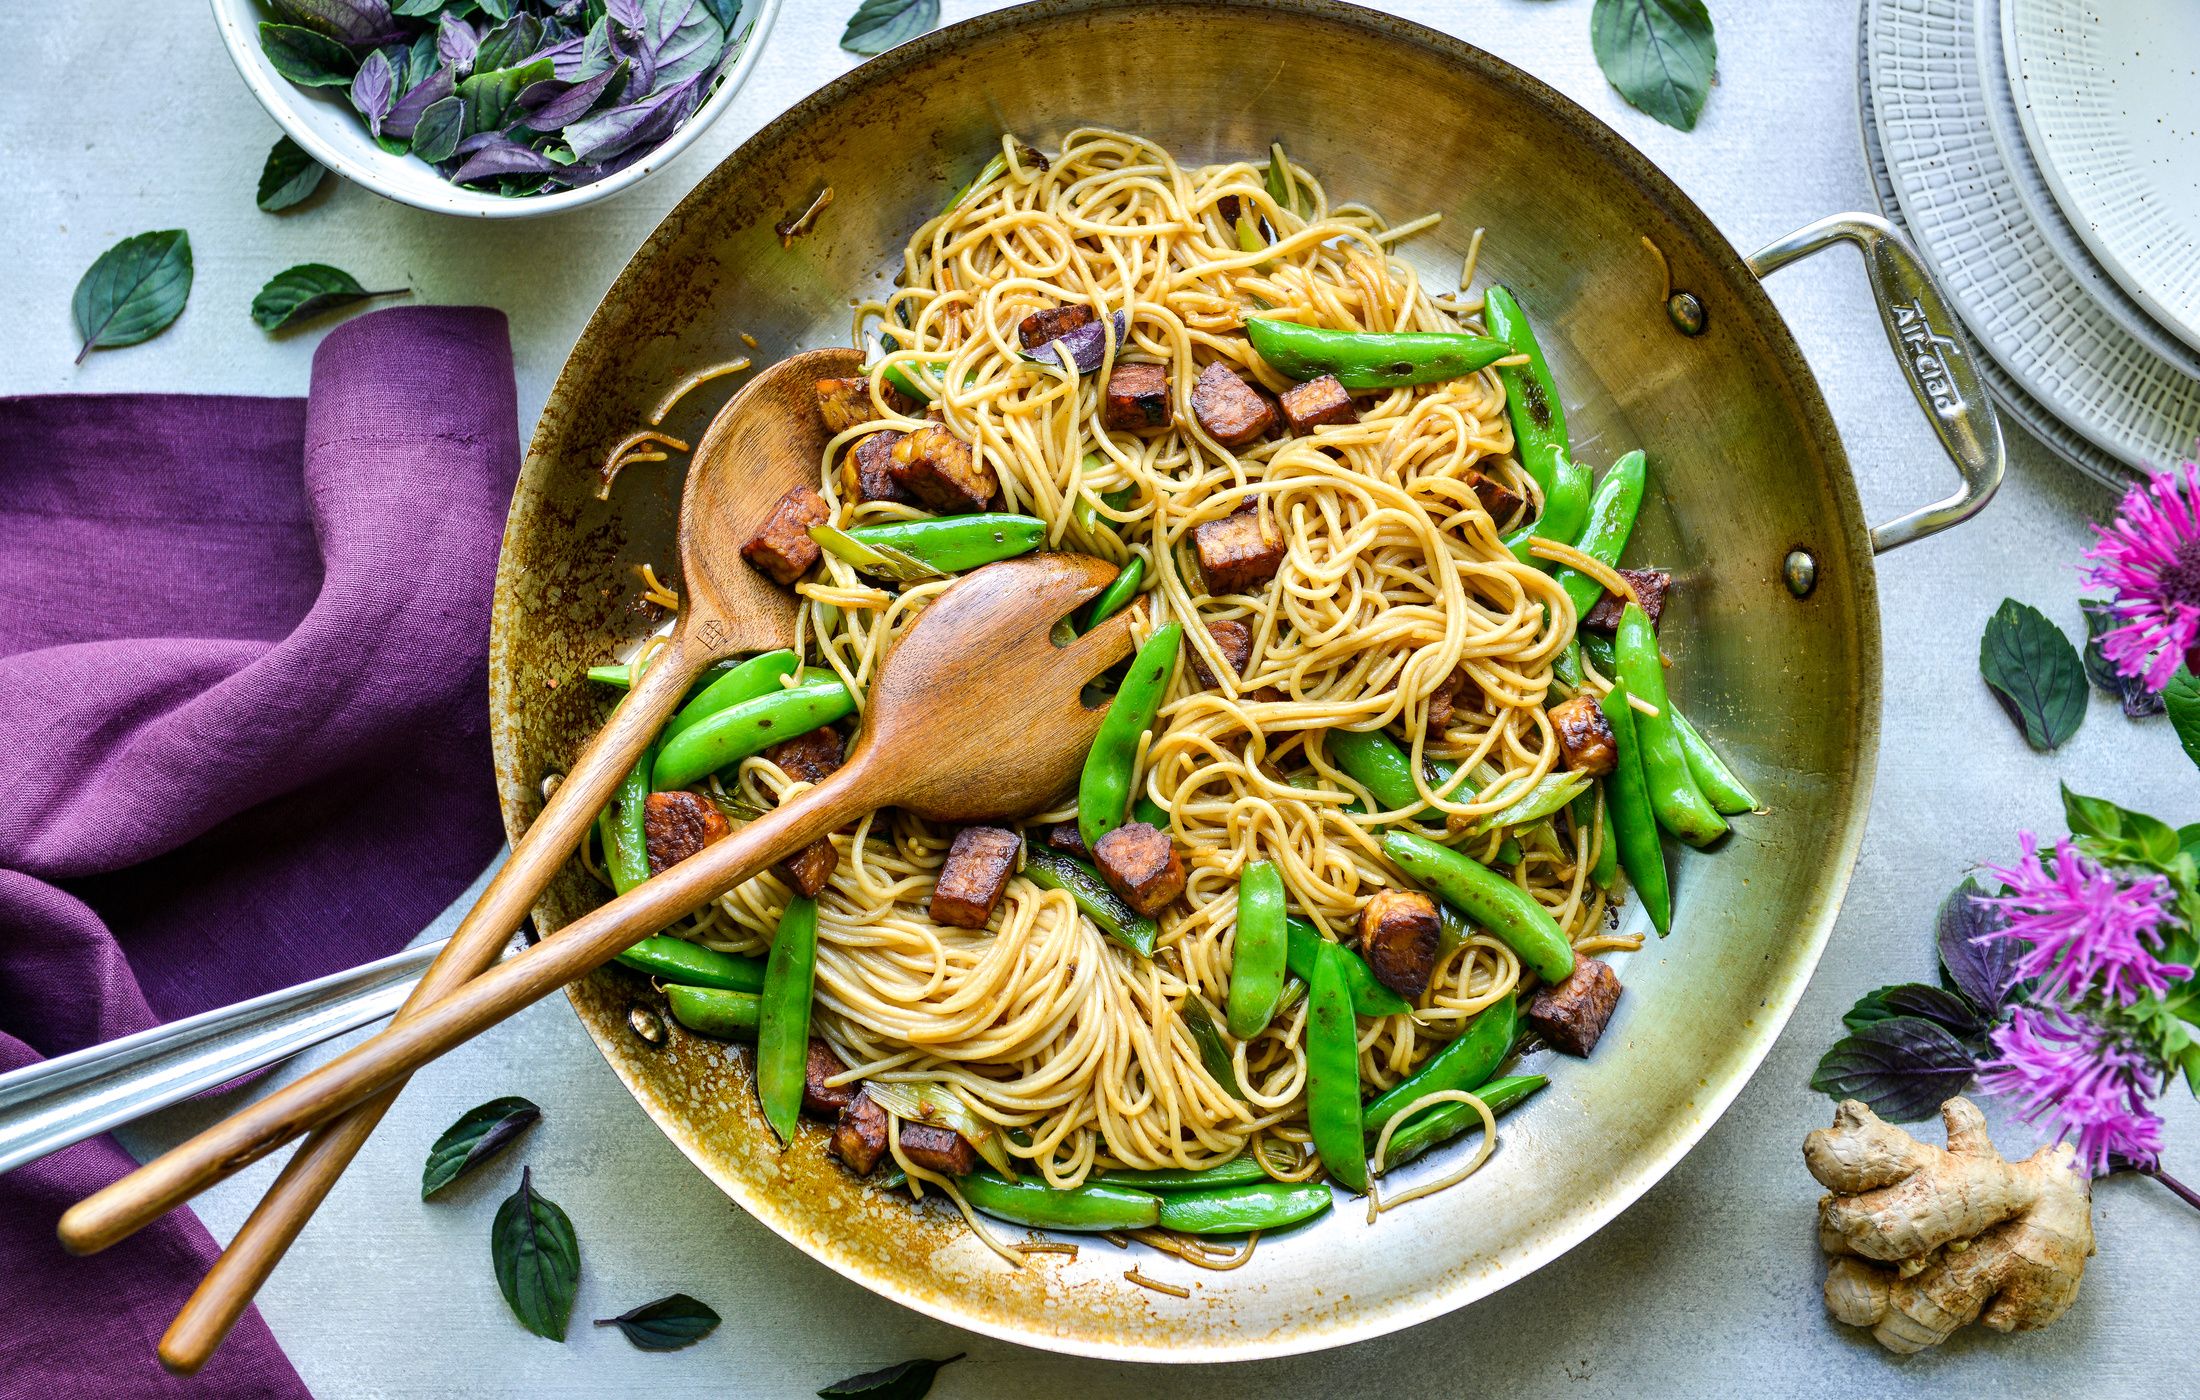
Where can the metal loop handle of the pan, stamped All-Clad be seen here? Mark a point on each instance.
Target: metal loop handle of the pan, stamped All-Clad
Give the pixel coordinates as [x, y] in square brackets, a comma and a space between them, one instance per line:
[1935, 353]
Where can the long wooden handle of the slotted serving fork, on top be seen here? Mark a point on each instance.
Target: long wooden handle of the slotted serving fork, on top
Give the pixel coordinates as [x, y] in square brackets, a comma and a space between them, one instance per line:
[463, 1014]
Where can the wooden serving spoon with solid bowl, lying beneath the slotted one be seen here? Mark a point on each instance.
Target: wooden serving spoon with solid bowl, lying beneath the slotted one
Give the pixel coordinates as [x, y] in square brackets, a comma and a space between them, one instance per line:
[767, 441]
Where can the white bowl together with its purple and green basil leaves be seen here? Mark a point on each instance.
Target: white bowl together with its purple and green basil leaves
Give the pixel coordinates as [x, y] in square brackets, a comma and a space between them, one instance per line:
[494, 109]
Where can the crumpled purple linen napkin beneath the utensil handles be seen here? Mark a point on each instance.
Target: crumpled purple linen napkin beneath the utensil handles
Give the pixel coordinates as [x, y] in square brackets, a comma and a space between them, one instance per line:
[243, 743]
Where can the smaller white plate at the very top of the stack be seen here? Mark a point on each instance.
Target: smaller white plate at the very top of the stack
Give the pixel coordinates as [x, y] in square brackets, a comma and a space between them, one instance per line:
[2111, 102]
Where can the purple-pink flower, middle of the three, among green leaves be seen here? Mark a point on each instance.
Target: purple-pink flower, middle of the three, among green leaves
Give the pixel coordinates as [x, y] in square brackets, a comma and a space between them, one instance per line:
[2089, 932]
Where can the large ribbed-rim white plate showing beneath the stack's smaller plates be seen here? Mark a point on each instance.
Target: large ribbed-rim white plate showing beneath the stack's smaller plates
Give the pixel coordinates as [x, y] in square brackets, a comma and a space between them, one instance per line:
[1974, 232]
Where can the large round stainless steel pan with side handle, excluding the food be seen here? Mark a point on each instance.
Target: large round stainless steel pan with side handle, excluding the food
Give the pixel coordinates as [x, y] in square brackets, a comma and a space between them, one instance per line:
[1774, 628]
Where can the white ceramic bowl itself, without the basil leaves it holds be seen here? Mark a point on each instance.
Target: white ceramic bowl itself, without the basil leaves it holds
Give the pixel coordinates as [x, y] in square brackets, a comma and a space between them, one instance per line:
[322, 122]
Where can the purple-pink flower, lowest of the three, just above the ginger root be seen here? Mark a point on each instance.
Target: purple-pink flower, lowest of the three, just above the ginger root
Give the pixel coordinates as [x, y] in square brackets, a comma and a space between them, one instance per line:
[2078, 1078]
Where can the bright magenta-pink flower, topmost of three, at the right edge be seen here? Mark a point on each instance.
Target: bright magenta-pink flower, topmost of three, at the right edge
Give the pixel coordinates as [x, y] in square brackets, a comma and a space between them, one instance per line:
[2148, 560]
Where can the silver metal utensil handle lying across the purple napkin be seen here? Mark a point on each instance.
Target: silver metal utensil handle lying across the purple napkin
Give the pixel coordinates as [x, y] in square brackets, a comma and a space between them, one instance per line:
[74, 1097]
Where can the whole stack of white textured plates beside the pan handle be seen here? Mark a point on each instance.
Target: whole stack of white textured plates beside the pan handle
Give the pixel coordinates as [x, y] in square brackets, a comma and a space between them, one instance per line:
[2045, 157]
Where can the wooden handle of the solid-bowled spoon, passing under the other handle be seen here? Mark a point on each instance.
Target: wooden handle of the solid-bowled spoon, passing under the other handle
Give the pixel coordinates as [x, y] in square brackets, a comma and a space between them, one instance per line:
[313, 1170]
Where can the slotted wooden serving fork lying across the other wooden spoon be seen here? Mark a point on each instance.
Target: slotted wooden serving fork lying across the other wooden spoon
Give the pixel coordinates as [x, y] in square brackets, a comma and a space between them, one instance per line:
[973, 717]
